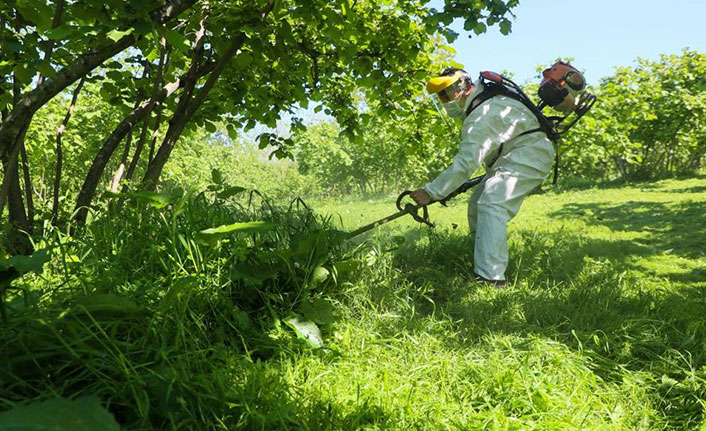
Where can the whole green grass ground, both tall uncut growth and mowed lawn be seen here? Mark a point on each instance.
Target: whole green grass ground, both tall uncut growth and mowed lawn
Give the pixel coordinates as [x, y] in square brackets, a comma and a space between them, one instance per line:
[602, 325]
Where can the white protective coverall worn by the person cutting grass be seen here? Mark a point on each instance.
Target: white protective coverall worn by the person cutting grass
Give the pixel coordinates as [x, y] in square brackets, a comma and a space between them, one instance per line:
[523, 164]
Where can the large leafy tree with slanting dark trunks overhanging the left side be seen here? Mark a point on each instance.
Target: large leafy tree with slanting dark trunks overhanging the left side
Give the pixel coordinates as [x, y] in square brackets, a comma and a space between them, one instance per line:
[245, 61]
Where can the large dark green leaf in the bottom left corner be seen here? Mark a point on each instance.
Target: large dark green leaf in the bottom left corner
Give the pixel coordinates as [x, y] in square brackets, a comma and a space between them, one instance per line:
[60, 414]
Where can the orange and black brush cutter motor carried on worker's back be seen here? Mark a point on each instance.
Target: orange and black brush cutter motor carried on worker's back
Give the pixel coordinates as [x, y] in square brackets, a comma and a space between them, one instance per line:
[561, 85]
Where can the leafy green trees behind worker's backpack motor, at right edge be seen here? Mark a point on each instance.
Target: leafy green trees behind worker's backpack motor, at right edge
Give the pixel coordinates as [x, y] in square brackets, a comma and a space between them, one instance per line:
[648, 122]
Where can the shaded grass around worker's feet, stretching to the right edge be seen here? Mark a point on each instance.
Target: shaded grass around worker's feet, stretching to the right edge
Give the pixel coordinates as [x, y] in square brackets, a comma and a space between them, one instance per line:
[589, 294]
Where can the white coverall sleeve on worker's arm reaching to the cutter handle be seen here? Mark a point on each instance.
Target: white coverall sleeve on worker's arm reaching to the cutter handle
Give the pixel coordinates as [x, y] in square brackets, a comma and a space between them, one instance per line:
[481, 135]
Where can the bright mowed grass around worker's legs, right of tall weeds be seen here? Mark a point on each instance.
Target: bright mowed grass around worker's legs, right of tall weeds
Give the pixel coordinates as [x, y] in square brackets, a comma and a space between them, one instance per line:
[602, 326]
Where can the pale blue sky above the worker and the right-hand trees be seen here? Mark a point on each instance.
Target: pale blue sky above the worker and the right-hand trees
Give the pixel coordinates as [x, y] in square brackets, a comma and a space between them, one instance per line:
[598, 34]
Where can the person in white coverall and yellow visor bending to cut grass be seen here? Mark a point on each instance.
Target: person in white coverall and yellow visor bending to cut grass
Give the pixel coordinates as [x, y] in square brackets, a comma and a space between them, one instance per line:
[504, 135]
